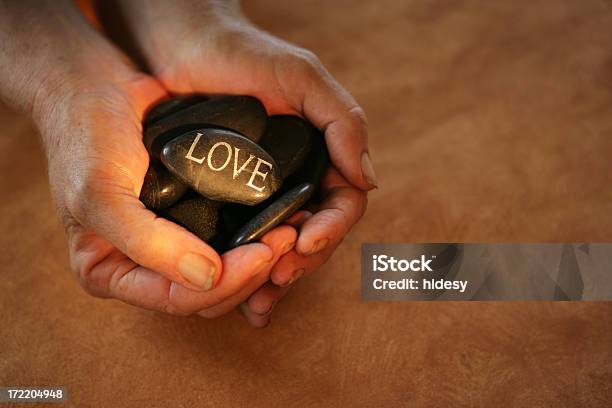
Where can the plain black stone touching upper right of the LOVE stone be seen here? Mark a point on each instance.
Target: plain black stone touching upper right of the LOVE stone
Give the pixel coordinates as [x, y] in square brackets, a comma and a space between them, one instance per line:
[288, 139]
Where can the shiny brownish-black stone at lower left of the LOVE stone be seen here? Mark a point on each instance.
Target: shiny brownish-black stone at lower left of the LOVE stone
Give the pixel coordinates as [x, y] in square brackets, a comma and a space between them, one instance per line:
[160, 189]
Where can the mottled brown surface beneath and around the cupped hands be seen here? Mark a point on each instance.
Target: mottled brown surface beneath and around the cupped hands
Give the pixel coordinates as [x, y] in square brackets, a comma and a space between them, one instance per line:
[489, 121]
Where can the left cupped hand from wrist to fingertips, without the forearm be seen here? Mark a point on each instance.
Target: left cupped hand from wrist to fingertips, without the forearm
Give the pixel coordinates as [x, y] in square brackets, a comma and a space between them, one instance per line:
[119, 248]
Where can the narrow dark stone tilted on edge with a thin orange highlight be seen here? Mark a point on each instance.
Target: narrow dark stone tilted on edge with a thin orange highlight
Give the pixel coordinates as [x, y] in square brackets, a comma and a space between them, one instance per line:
[277, 212]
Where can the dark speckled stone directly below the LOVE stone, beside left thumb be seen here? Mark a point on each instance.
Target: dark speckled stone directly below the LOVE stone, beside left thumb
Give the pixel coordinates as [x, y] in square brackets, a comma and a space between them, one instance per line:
[198, 215]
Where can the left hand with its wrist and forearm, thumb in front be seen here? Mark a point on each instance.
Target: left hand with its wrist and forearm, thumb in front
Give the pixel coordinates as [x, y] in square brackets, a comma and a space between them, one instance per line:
[88, 102]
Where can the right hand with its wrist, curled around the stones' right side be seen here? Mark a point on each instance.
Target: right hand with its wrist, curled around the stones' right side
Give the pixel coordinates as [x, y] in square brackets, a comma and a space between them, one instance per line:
[211, 48]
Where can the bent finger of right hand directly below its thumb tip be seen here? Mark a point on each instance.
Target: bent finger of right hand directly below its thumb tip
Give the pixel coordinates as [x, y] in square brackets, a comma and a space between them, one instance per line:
[341, 209]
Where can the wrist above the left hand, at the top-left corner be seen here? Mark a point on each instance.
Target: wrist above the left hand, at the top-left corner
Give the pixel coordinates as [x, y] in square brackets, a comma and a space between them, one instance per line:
[48, 63]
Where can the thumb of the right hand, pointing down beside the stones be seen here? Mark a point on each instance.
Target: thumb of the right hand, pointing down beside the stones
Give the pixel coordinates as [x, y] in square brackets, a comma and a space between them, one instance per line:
[333, 110]
